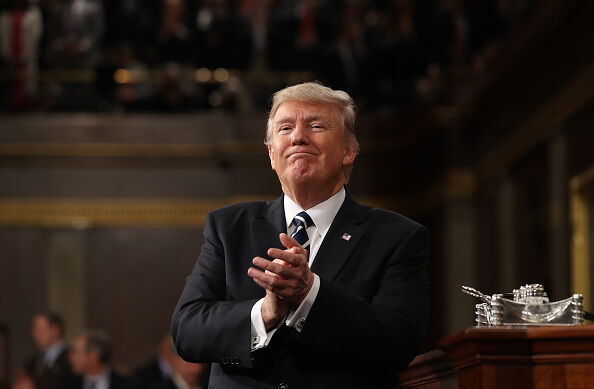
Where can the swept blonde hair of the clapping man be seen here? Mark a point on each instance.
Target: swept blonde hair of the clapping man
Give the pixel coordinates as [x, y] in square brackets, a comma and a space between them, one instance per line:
[315, 92]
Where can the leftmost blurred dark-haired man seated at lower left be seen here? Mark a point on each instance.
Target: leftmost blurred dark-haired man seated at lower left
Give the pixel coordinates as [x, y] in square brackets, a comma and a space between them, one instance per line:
[49, 369]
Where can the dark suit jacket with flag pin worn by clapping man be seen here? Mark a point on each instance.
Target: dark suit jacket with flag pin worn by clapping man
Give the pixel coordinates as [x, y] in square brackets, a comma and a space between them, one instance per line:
[367, 322]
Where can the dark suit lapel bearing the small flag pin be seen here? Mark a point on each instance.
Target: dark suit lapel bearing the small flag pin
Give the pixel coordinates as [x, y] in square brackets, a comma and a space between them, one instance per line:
[335, 249]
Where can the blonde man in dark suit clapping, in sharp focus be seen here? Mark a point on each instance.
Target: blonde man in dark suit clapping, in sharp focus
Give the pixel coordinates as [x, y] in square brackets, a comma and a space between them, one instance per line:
[342, 302]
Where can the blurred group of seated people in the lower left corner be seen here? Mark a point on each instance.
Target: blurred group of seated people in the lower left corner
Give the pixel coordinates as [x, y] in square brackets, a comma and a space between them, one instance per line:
[85, 362]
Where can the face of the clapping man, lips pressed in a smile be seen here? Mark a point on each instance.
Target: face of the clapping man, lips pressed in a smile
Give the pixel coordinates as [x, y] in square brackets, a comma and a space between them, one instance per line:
[307, 144]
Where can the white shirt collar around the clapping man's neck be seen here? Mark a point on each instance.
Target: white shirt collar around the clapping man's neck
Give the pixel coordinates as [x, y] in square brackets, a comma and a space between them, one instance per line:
[322, 214]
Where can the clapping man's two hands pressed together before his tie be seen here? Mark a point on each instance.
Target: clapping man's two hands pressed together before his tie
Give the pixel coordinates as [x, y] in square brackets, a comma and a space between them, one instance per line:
[291, 280]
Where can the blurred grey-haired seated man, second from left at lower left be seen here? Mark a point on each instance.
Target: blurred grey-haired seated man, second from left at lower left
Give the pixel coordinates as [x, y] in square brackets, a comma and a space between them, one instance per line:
[90, 355]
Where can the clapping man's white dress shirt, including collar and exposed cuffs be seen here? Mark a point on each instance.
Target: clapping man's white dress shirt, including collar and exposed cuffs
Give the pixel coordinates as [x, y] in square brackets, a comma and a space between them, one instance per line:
[323, 215]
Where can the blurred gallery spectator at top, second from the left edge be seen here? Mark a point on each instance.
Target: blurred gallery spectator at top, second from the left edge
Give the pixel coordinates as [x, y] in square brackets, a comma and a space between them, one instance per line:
[74, 33]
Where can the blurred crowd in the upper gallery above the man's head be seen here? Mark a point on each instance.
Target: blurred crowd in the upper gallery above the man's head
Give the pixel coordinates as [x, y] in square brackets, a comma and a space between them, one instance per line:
[189, 55]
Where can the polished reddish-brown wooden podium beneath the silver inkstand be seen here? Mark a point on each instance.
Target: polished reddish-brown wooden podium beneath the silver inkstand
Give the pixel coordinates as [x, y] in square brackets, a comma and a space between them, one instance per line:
[507, 358]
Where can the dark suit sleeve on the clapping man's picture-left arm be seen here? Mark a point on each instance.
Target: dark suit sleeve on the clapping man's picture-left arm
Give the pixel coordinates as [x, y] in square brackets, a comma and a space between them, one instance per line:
[205, 327]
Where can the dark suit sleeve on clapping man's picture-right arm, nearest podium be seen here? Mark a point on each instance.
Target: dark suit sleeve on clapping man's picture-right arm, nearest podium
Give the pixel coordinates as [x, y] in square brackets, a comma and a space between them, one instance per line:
[389, 327]
